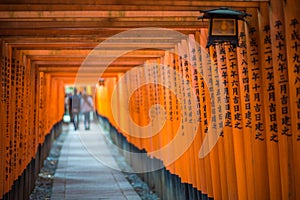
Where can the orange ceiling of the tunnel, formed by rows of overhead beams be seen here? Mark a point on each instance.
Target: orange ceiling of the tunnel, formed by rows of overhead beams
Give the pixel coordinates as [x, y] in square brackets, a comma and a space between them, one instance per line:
[57, 36]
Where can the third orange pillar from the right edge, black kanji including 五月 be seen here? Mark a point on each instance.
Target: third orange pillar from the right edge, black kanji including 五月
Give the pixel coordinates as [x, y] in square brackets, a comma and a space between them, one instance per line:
[269, 107]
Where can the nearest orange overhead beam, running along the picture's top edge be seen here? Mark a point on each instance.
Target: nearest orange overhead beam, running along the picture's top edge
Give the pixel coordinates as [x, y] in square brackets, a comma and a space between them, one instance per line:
[92, 5]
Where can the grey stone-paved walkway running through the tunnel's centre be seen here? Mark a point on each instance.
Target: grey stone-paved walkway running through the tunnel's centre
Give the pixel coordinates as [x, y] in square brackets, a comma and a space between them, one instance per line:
[85, 171]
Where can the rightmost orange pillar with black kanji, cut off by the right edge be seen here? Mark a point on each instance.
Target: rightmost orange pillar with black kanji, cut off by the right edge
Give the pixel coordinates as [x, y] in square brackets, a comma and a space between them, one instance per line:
[292, 29]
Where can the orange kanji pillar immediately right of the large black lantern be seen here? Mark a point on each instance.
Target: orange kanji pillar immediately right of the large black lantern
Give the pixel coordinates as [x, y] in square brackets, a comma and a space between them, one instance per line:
[243, 73]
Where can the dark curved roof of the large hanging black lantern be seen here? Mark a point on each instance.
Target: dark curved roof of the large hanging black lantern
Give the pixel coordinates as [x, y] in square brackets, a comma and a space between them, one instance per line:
[223, 12]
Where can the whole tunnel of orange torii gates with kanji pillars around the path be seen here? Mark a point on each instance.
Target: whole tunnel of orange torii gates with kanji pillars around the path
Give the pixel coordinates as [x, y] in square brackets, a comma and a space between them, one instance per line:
[248, 95]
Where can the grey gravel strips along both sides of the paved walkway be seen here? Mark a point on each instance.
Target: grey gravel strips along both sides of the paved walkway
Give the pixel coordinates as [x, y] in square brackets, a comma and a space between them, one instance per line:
[44, 182]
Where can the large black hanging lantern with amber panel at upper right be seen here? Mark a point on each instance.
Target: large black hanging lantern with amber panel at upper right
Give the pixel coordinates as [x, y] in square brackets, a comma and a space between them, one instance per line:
[223, 26]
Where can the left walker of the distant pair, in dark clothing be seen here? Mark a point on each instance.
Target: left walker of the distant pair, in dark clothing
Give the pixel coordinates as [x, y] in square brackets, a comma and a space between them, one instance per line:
[74, 108]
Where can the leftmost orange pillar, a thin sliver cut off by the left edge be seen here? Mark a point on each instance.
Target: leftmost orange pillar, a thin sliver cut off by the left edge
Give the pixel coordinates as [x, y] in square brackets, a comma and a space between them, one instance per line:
[2, 115]
